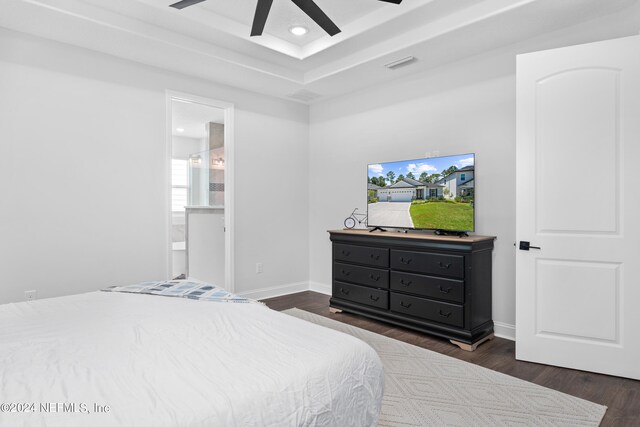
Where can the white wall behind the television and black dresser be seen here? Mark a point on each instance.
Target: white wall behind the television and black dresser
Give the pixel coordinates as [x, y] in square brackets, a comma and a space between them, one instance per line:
[458, 108]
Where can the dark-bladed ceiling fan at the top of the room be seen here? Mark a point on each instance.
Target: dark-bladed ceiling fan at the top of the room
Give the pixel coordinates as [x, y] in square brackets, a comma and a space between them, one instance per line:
[262, 11]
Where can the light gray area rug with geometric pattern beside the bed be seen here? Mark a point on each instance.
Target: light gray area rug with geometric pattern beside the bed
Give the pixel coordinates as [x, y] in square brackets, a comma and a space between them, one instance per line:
[425, 388]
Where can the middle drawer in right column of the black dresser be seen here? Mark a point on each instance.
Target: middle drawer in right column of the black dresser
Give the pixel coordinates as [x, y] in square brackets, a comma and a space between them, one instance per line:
[428, 286]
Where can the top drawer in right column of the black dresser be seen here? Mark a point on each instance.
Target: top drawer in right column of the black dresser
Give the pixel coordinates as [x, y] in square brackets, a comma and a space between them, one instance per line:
[428, 263]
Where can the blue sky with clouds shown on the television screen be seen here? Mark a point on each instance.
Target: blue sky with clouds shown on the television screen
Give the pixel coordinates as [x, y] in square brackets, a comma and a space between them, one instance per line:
[430, 165]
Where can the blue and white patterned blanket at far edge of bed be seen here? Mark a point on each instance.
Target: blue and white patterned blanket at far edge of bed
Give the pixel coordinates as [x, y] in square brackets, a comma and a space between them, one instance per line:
[181, 289]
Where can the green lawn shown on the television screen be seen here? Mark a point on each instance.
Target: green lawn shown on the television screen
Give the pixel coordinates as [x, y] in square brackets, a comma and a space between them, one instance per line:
[445, 215]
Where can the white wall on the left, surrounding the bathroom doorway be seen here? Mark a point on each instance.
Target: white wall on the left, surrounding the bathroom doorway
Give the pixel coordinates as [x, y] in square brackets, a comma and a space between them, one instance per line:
[83, 173]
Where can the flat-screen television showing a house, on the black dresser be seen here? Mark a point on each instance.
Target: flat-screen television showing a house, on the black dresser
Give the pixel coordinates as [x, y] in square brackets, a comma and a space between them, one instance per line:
[432, 193]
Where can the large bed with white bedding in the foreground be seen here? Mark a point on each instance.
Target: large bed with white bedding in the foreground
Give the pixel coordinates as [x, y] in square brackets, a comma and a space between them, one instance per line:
[160, 361]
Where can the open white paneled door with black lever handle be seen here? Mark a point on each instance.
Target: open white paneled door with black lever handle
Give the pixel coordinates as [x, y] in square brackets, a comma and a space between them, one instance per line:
[578, 172]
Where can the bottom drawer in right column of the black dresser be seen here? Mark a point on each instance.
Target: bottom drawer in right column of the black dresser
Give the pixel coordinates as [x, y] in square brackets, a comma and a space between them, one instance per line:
[423, 308]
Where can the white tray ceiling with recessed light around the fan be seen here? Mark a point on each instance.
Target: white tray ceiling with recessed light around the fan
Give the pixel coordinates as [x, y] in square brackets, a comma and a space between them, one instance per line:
[211, 40]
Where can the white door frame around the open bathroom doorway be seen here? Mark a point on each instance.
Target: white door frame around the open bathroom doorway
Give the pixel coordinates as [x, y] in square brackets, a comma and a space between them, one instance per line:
[229, 112]
